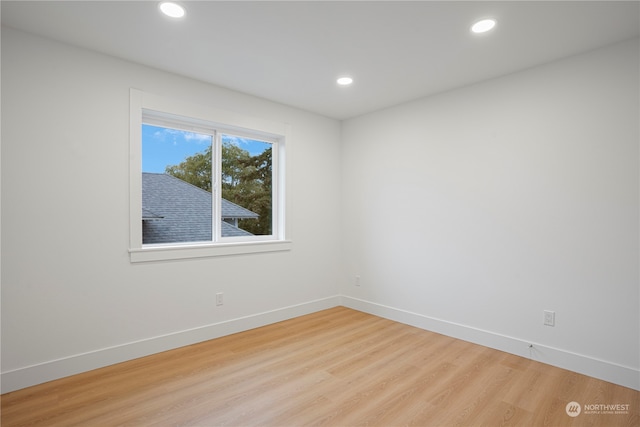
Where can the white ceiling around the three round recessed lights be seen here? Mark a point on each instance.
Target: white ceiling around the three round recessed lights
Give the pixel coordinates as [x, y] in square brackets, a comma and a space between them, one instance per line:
[292, 51]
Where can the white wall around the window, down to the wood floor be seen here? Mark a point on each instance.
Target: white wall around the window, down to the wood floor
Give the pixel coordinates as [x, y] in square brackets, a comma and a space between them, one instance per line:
[71, 300]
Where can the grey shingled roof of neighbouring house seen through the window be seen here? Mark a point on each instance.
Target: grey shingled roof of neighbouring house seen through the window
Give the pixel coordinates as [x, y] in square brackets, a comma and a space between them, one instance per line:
[176, 211]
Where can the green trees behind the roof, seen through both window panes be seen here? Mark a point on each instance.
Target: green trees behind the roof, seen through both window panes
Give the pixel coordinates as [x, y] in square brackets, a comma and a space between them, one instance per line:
[246, 181]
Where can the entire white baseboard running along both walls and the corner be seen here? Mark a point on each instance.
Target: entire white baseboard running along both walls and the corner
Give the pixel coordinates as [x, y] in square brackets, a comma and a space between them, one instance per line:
[55, 369]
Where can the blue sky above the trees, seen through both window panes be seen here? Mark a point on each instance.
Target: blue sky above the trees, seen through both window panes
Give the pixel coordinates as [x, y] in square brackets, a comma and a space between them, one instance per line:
[162, 146]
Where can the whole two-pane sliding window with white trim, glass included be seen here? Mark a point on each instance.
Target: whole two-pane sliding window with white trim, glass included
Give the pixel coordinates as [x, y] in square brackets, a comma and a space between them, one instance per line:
[203, 182]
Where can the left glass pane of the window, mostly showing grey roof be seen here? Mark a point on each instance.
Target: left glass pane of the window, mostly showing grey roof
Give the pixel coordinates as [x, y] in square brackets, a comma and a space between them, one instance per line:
[176, 186]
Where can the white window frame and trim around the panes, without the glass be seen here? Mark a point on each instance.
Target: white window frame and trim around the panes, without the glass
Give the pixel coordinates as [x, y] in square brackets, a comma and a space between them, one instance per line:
[163, 111]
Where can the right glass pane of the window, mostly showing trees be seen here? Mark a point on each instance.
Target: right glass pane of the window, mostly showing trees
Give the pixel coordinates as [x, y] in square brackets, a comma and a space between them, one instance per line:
[246, 187]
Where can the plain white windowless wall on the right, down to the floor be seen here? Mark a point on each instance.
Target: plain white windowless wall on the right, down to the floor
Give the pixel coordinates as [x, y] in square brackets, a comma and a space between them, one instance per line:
[473, 211]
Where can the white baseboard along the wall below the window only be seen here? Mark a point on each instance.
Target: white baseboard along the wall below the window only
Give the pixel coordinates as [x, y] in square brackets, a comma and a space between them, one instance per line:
[60, 368]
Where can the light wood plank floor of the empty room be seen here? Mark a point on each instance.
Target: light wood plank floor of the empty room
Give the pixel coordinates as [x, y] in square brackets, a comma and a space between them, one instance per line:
[337, 367]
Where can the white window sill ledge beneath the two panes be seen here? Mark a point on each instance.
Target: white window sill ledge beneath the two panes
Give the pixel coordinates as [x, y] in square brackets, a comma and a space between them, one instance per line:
[166, 253]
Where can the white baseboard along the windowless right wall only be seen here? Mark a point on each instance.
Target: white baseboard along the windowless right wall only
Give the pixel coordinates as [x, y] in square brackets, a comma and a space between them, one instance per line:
[607, 371]
